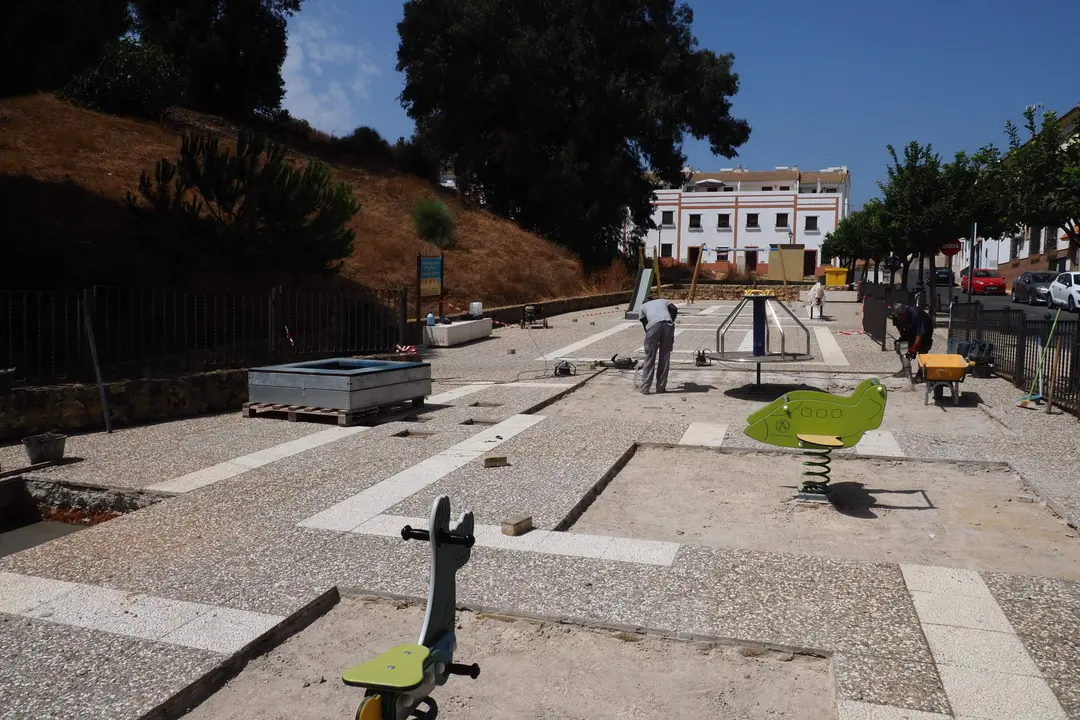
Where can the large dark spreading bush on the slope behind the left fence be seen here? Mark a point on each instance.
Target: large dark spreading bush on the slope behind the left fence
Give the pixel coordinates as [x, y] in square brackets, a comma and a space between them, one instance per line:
[252, 208]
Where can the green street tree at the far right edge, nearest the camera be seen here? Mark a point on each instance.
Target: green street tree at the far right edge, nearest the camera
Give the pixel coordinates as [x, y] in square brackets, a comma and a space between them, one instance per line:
[1039, 176]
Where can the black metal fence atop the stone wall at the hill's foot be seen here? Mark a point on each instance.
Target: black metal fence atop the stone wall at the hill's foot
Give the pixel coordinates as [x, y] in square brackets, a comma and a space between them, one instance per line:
[46, 336]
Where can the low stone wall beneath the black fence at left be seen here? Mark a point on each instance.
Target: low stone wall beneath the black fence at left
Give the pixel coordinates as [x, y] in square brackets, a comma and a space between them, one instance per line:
[78, 407]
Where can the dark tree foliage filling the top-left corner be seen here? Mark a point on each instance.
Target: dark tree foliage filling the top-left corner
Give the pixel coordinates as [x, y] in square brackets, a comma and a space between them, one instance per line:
[45, 45]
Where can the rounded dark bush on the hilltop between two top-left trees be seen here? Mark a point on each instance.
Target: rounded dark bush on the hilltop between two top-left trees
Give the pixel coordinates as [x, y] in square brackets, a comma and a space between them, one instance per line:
[130, 79]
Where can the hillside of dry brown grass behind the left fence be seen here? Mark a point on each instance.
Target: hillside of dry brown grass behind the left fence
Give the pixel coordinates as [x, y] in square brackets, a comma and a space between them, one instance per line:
[64, 172]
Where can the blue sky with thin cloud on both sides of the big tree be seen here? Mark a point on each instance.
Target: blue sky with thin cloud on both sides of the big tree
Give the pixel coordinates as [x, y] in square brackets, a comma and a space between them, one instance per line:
[823, 84]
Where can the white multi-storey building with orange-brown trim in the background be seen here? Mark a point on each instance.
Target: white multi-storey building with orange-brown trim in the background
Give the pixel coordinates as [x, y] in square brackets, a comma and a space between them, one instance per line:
[737, 214]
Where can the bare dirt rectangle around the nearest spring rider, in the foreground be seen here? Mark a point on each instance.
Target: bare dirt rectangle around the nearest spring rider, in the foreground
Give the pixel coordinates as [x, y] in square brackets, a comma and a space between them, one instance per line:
[530, 671]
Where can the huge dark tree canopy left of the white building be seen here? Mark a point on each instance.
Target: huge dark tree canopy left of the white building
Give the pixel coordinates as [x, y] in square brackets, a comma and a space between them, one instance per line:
[555, 111]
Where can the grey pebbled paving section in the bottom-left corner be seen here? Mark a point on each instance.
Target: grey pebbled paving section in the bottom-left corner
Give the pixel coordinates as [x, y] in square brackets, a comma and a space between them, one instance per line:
[57, 672]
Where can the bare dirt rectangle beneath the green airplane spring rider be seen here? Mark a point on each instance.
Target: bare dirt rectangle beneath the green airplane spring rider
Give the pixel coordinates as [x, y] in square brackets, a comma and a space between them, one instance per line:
[887, 511]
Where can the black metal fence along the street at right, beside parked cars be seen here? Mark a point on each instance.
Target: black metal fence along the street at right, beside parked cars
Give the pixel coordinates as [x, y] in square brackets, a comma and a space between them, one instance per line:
[1024, 348]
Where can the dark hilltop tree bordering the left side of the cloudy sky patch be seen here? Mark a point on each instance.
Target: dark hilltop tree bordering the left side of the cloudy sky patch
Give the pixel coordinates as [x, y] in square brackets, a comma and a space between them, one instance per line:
[231, 52]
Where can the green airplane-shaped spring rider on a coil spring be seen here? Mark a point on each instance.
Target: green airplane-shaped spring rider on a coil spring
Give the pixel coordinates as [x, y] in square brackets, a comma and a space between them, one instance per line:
[818, 424]
